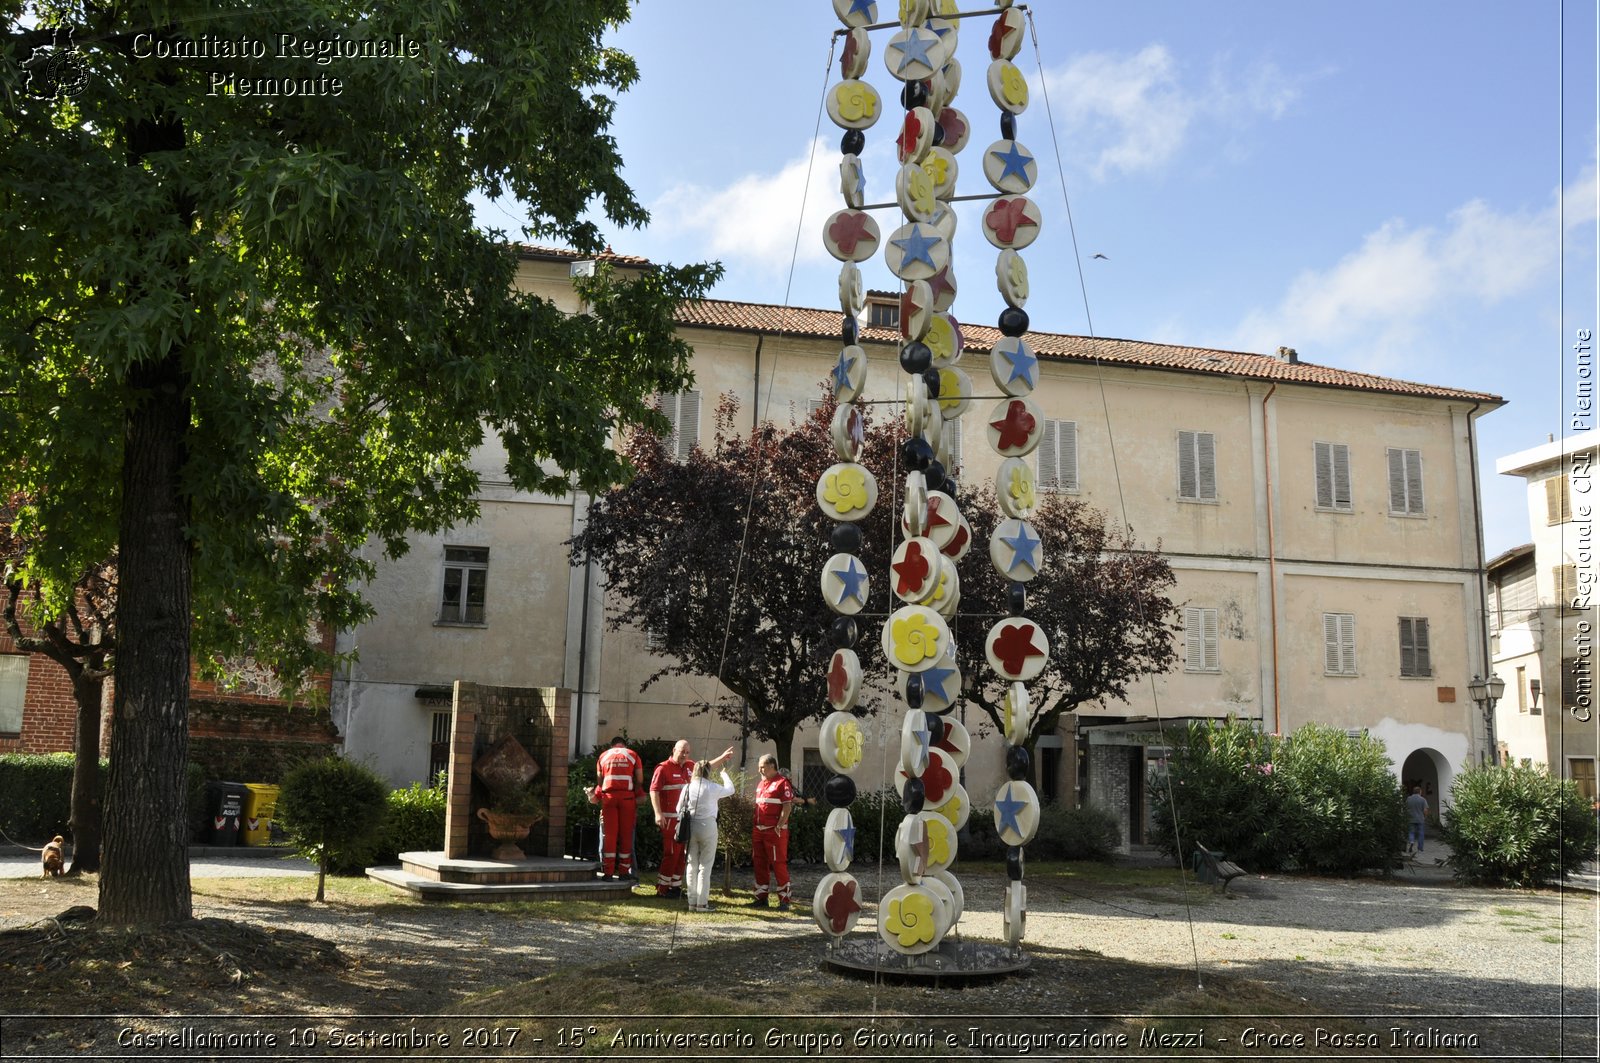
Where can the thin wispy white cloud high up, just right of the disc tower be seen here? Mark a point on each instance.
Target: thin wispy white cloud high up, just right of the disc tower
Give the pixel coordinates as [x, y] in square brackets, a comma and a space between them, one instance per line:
[1130, 113]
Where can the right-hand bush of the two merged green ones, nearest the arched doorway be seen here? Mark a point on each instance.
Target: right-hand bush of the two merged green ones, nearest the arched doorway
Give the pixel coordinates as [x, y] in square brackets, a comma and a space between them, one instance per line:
[1343, 803]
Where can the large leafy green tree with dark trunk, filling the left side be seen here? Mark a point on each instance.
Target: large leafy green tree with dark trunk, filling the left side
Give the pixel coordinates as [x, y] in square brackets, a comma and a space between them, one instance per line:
[247, 327]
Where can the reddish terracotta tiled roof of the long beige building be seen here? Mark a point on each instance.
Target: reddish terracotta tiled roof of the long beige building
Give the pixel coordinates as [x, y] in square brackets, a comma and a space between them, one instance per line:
[1082, 350]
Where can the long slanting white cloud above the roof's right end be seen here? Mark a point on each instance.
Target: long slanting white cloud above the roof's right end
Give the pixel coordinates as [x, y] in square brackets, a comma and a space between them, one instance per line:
[1386, 292]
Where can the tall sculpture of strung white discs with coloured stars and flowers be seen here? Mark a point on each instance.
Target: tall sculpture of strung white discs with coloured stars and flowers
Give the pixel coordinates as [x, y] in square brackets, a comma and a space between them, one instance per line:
[916, 917]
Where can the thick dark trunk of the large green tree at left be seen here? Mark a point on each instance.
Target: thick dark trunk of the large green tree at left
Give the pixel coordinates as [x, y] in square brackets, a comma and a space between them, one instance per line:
[146, 856]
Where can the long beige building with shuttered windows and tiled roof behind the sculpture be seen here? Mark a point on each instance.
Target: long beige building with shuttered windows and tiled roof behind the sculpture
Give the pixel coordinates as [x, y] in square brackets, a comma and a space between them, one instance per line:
[1324, 527]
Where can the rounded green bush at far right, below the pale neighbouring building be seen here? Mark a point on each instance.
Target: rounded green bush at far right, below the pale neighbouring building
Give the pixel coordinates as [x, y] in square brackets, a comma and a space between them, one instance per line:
[1518, 825]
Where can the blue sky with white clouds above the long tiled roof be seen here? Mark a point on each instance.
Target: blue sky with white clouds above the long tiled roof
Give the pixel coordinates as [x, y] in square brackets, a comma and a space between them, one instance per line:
[1404, 190]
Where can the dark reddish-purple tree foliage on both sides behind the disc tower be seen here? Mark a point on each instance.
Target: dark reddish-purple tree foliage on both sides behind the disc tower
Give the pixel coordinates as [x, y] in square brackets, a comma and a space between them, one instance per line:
[721, 556]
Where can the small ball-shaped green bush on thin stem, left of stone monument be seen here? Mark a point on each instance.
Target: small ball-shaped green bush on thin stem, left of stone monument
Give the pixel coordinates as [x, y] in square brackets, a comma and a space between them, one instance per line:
[334, 812]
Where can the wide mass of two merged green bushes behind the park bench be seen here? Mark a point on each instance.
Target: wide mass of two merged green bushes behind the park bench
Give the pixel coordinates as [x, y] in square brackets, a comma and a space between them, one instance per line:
[1321, 800]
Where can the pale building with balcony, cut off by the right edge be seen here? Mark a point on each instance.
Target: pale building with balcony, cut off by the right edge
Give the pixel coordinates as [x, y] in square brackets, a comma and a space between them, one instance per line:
[1543, 614]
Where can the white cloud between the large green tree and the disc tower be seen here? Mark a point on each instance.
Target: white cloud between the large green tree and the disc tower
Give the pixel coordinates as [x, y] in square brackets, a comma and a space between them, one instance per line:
[751, 223]
